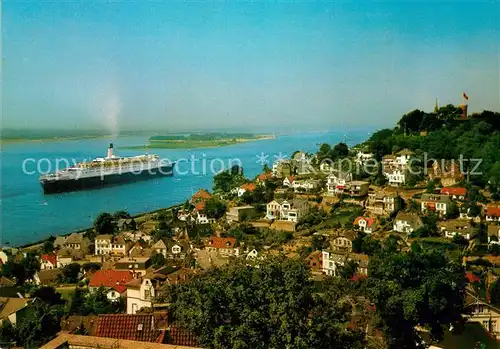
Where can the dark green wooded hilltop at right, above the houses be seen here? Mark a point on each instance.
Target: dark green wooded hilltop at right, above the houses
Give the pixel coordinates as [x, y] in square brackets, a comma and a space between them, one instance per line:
[444, 135]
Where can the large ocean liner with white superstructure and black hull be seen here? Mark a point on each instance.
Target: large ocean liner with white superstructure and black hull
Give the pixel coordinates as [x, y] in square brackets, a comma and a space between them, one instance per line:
[102, 172]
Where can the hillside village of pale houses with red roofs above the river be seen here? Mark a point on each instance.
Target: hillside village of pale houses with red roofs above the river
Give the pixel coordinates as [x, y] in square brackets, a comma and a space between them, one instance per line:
[333, 212]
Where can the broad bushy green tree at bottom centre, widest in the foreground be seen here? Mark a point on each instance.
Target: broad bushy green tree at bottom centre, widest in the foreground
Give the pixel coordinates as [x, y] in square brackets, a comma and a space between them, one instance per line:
[274, 306]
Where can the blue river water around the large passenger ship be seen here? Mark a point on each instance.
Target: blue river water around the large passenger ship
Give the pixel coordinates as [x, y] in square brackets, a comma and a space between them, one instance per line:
[27, 215]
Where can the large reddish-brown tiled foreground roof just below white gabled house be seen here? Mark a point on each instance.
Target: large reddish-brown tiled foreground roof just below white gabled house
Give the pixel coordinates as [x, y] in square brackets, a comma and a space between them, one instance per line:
[138, 327]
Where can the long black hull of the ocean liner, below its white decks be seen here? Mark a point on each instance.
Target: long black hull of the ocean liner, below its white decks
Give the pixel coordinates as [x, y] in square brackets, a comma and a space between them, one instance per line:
[97, 182]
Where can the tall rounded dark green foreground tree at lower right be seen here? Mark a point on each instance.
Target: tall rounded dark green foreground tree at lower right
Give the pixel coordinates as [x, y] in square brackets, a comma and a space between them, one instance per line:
[415, 288]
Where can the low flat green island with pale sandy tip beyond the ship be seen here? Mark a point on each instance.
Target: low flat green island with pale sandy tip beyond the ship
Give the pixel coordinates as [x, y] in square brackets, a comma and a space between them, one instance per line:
[194, 144]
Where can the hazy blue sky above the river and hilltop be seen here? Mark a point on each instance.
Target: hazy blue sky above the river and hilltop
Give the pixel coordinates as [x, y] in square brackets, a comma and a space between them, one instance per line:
[243, 65]
